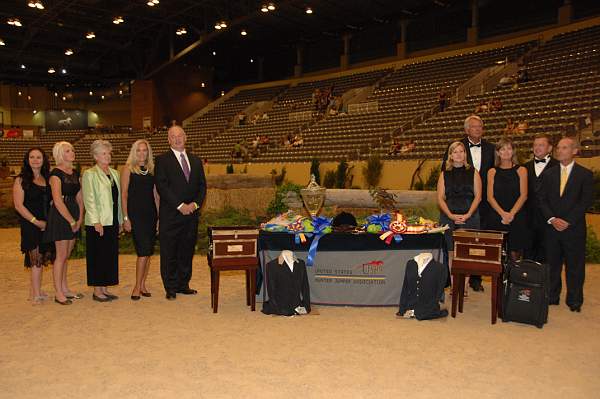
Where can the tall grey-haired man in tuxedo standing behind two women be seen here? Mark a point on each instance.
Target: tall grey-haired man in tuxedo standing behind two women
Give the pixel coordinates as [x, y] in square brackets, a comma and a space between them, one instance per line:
[480, 155]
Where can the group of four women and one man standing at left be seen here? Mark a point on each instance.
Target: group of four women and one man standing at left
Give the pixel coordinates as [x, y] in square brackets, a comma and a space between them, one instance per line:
[53, 206]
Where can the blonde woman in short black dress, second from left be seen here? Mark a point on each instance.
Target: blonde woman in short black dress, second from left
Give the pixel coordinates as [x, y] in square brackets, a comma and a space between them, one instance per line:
[65, 217]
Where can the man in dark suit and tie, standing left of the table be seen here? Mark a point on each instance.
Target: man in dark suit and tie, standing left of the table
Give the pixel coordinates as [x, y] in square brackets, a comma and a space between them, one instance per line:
[181, 184]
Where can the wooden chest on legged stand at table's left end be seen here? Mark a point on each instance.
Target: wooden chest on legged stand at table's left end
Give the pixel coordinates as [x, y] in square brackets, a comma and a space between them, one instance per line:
[233, 248]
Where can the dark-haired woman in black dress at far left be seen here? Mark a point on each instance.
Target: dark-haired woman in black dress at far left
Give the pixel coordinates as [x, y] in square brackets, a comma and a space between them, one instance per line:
[31, 198]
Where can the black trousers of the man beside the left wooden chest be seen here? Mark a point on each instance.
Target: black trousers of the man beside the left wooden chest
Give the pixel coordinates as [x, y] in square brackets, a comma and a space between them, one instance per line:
[177, 244]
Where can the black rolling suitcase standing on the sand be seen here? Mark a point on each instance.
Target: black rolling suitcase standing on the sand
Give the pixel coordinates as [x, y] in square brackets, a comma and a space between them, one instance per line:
[526, 285]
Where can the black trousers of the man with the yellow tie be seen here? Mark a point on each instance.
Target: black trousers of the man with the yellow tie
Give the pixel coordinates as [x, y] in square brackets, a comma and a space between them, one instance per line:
[568, 248]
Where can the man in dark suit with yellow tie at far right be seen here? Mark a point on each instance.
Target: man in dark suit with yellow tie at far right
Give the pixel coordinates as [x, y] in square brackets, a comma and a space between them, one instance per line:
[566, 193]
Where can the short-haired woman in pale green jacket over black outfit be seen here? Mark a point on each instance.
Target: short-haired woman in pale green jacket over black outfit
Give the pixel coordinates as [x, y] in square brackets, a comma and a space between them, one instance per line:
[103, 222]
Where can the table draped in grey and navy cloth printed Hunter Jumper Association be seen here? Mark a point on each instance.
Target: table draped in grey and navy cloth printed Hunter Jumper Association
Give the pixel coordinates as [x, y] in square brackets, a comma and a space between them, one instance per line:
[353, 269]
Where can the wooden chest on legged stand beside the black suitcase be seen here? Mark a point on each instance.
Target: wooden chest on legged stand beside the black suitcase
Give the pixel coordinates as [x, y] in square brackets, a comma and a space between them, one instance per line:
[477, 252]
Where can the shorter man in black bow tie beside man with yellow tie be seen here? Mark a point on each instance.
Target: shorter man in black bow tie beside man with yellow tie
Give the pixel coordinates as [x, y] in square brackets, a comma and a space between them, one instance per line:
[536, 168]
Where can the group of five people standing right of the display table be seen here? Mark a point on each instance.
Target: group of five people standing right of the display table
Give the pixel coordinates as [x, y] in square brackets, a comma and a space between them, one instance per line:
[541, 204]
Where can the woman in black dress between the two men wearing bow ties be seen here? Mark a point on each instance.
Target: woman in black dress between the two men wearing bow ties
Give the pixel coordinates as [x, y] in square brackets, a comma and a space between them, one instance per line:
[507, 193]
